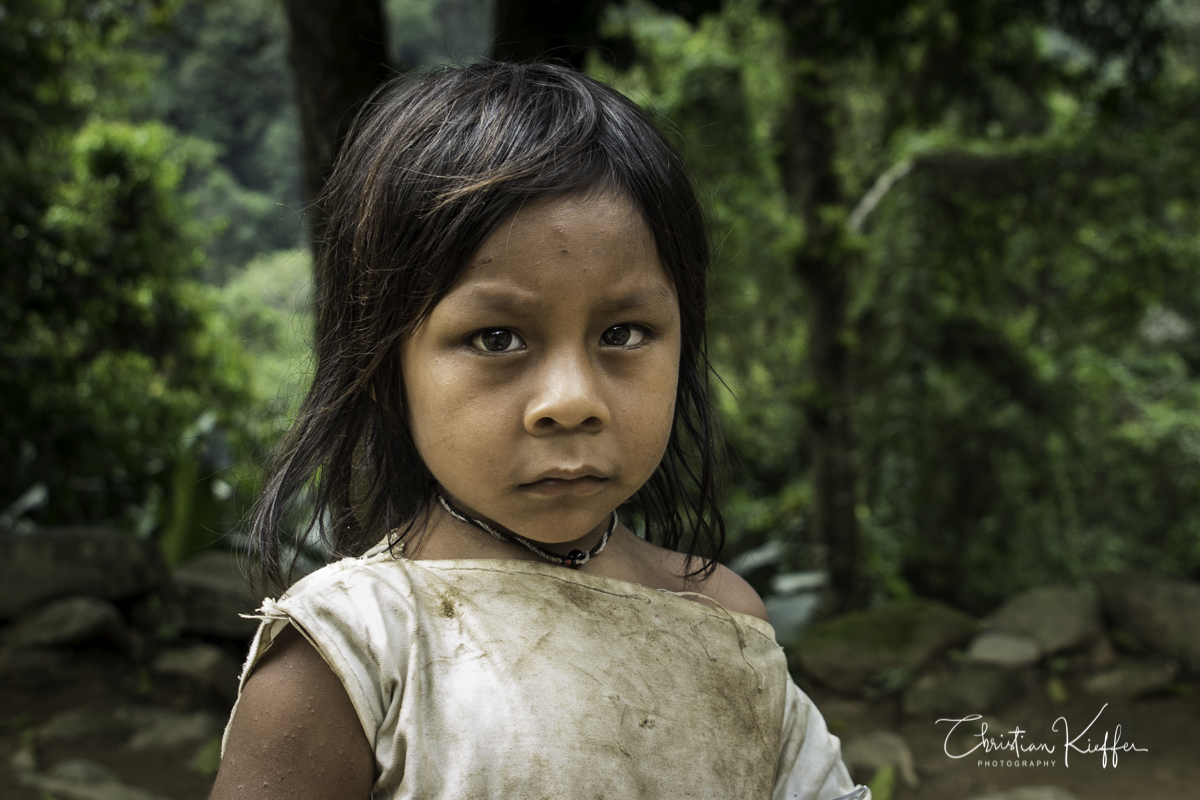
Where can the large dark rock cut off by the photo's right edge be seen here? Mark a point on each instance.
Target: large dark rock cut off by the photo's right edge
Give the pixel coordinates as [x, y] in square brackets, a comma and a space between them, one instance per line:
[1162, 613]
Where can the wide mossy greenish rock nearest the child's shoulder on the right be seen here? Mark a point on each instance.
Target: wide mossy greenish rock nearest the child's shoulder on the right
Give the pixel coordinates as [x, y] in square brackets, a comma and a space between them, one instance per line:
[881, 647]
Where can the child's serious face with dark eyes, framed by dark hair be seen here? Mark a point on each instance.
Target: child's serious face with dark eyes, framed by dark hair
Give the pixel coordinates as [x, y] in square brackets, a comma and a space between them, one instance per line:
[542, 388]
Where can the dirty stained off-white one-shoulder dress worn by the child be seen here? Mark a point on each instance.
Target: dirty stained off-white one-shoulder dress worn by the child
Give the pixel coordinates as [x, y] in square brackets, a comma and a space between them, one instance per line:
[515, 679]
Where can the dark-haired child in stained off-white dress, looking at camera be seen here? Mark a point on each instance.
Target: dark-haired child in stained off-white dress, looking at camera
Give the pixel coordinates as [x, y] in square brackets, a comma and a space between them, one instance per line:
[511, 371]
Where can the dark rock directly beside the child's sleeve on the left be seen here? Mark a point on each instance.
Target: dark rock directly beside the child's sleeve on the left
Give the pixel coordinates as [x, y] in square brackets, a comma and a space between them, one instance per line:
[213, 592]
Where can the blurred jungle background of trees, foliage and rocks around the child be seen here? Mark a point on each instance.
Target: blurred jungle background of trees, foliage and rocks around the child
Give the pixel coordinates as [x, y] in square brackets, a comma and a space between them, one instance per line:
[955, 311]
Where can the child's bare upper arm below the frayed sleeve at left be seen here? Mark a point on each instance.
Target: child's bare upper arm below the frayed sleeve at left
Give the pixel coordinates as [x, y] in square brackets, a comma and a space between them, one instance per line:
[296, 733]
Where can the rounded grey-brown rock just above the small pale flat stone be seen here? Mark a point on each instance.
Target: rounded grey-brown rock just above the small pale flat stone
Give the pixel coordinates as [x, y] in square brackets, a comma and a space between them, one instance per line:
[1057, 618]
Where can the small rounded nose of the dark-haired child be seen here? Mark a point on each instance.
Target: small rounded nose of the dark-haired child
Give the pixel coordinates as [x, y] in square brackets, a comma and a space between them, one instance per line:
[568, 396]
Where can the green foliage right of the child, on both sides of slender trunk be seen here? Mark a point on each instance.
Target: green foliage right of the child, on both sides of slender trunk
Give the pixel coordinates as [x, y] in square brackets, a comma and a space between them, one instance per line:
[1025, 353]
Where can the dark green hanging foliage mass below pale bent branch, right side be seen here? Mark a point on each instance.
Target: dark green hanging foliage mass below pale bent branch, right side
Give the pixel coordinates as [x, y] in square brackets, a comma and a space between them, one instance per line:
[1034, 408]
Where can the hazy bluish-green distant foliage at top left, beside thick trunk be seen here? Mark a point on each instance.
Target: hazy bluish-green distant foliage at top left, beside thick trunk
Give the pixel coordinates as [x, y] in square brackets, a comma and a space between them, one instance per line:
[220, 76]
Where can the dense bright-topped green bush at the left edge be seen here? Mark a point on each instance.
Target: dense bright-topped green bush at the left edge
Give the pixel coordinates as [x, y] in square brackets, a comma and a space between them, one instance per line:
[116, 351]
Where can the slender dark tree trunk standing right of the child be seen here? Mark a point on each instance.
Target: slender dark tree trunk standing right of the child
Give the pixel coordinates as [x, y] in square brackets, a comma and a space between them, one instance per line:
[817, 196]
